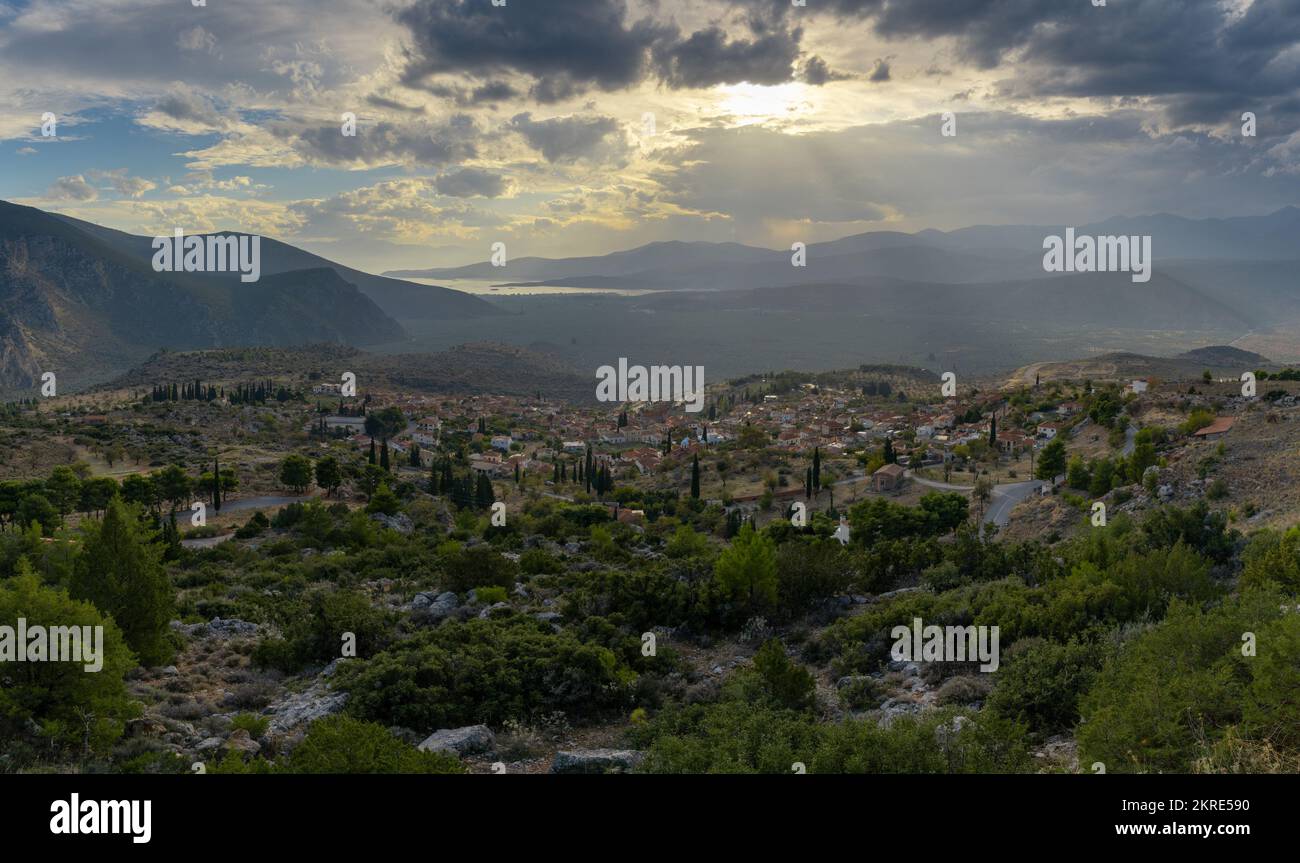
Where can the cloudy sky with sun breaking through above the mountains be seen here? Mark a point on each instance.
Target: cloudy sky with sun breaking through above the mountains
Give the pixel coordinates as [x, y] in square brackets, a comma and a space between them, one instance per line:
[571, 128]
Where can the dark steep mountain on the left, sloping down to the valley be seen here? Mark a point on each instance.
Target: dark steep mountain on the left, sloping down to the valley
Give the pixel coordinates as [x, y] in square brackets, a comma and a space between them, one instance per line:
[85, 302]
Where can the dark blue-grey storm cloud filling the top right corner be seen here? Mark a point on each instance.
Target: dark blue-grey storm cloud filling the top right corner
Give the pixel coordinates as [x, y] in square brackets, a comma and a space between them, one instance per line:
[1202, 60]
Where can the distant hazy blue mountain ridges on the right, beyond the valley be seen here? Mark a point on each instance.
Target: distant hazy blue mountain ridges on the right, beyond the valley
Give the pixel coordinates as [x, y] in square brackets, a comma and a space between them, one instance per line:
[1228, 272]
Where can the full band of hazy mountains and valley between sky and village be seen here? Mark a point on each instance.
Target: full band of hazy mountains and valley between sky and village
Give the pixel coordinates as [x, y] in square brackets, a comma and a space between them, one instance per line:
[84, 301]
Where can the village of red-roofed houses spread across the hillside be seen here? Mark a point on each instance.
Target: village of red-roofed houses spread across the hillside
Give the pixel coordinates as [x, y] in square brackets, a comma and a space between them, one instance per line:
[752, 444]
